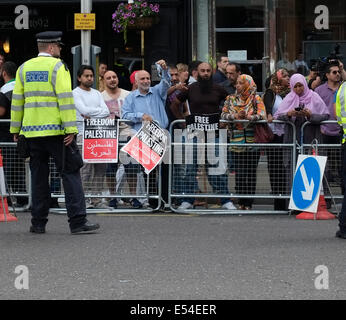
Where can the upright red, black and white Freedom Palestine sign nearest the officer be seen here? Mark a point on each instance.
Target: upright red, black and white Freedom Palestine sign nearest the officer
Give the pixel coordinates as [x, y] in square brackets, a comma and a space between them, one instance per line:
[100, 143]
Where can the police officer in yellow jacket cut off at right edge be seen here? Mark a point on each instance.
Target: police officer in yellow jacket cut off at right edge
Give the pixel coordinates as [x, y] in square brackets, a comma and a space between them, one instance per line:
[340, 108]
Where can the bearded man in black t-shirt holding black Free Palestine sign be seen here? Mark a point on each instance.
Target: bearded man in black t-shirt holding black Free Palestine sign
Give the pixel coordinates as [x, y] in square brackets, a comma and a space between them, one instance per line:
[203, 98]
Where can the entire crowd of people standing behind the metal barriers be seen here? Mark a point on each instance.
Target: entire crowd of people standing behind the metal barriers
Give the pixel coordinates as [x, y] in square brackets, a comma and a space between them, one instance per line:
[196, 88]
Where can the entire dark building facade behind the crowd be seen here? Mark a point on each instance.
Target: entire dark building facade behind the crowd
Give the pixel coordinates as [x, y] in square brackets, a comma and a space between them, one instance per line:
[258, 34]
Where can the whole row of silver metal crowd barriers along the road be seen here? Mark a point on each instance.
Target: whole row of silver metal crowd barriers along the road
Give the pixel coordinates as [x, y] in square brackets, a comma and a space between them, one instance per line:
[210, 180]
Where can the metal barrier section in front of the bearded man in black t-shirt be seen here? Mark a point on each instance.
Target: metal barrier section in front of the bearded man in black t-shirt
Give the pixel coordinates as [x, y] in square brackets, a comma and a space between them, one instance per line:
[208, 188]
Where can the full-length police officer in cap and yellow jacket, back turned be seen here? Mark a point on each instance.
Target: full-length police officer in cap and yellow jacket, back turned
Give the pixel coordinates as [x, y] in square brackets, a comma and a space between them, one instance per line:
[43, 90]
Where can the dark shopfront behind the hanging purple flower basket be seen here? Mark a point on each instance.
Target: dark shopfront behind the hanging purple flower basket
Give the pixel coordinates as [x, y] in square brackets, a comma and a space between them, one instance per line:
[167, 38]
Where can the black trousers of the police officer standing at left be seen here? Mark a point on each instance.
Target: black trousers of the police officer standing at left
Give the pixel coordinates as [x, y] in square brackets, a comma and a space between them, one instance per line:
[40, 151]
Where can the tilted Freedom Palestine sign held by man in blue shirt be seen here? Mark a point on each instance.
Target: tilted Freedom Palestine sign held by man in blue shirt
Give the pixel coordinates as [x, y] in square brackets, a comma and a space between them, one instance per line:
[148, 146]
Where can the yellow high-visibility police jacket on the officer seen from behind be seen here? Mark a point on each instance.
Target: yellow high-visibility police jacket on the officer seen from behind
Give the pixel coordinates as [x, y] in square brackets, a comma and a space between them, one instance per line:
[42, 100]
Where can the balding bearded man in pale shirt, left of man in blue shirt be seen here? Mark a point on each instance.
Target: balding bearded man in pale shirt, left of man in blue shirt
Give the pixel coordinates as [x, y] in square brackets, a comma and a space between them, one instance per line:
[114, 98]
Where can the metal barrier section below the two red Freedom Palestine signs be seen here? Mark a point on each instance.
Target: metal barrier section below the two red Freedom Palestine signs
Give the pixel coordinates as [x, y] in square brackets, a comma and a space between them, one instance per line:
[105, 182]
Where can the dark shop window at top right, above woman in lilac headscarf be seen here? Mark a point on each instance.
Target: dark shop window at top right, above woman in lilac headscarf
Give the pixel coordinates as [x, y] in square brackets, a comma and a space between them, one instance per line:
[314, 28]
